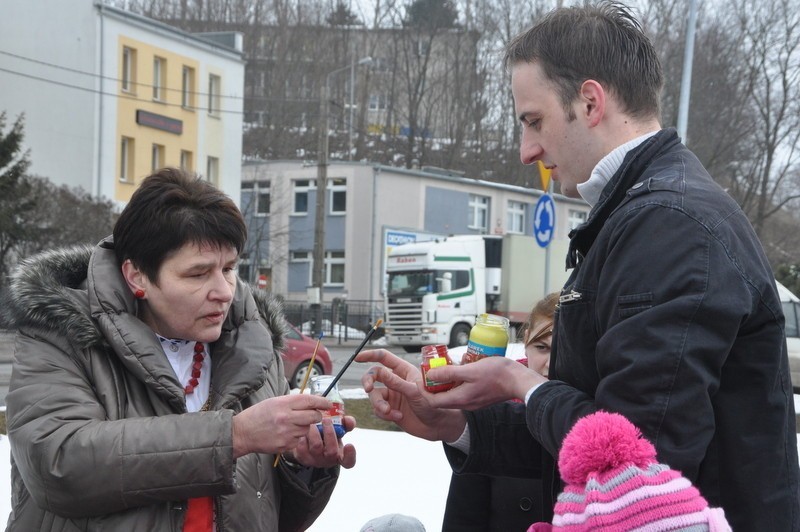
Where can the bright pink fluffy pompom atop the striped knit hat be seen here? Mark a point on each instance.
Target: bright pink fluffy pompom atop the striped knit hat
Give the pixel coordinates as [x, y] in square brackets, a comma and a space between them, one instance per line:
[602, 442]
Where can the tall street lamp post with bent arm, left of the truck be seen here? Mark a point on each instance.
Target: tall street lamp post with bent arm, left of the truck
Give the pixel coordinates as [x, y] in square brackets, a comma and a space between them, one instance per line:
[317, 277]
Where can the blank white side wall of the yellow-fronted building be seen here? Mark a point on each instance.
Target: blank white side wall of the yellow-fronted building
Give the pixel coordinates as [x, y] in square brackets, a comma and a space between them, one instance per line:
[59, 104]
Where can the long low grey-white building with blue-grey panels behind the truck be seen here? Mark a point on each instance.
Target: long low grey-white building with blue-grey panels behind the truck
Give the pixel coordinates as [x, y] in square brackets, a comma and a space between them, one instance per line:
[369, 209]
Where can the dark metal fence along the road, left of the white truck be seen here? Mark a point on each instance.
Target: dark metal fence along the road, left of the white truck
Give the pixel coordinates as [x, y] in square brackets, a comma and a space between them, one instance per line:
[341, 319]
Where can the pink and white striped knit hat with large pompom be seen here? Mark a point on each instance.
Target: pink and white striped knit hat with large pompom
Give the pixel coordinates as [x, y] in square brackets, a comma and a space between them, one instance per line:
[614, 482]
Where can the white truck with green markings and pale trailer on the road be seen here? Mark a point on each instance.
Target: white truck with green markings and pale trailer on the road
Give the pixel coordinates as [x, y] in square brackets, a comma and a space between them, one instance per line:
[435, 289]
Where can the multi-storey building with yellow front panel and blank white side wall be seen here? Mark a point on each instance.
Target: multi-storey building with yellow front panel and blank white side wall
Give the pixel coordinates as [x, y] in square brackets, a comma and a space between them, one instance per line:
[109, 95]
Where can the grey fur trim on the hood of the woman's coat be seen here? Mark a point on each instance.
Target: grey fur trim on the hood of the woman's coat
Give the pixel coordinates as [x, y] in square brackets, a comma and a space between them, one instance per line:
[49, 291]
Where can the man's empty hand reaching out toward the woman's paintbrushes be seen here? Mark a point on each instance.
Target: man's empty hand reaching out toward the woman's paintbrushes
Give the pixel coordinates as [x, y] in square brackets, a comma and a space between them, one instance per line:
[401, 400]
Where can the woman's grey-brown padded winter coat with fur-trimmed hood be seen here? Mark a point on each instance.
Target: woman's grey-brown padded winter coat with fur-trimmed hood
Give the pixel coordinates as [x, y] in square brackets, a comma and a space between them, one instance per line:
[100, 437]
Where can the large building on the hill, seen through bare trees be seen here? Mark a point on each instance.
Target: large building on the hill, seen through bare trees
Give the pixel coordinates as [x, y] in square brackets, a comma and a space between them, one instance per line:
[408, 86]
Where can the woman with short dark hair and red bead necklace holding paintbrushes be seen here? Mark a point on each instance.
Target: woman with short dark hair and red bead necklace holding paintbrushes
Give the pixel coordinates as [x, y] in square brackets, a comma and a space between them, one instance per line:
[147, 391]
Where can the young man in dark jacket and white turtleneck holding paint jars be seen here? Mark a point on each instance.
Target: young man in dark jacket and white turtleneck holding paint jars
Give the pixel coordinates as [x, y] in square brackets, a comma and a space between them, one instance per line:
[671, 315]
